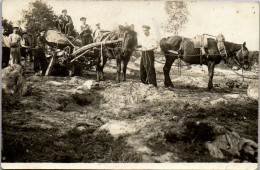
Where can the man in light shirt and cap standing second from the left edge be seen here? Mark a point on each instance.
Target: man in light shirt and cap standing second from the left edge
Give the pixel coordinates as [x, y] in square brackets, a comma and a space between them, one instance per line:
[15, 43]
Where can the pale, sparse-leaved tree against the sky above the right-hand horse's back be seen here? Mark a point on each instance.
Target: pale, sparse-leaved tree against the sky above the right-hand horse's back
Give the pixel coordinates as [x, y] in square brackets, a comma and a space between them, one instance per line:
[177, 16]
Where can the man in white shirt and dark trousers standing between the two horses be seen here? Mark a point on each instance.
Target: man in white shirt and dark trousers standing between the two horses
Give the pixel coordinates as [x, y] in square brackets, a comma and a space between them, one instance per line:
[147, 70]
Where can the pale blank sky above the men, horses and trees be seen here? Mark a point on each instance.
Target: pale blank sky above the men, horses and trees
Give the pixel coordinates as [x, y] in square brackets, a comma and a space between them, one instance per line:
[237, 21]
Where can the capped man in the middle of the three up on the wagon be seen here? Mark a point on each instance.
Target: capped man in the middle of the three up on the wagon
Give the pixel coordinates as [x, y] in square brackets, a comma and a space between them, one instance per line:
[85, 33]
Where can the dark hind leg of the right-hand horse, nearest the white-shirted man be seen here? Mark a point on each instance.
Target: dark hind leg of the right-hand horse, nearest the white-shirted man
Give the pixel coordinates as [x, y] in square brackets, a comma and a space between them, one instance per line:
[166, 71]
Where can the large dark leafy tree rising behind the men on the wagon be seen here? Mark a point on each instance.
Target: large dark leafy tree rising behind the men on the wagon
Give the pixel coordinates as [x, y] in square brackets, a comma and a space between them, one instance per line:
[39, 16]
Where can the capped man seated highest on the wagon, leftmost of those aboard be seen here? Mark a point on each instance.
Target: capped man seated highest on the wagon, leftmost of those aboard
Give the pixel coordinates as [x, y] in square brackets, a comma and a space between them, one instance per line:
[65, 24]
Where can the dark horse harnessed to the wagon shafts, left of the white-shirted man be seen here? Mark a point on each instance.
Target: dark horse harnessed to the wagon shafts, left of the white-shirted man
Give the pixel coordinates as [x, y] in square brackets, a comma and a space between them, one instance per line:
[121, 53]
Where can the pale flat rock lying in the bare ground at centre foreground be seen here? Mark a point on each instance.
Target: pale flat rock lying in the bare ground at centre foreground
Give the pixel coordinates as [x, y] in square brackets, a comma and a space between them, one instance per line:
[119, 128]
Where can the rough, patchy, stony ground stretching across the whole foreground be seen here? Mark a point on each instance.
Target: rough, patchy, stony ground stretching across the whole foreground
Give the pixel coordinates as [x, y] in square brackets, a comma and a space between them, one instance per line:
[129, 121]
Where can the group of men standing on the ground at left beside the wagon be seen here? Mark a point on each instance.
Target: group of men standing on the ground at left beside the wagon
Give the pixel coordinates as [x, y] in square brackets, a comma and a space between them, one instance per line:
[15, 45]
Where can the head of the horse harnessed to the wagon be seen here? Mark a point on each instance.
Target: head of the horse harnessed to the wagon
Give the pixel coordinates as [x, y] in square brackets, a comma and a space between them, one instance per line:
[129, 39]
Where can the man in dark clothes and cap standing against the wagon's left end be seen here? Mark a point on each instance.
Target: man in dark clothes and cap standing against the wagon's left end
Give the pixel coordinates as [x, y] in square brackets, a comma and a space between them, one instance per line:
[39, 53]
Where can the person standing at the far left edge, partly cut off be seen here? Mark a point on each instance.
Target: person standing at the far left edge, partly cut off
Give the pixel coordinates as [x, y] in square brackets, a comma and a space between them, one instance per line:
[5, 48]
